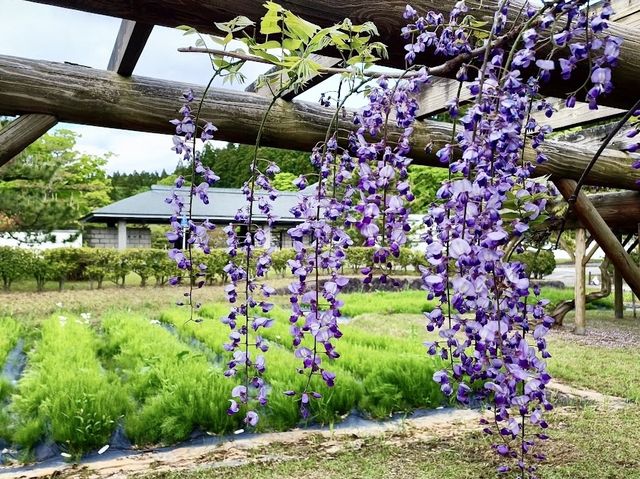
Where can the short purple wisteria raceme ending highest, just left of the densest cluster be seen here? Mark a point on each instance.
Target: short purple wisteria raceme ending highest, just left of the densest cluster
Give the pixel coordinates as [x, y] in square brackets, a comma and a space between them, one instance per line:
[381, 214]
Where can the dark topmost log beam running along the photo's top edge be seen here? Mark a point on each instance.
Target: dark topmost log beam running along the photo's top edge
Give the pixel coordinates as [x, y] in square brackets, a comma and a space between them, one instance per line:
[386, 15]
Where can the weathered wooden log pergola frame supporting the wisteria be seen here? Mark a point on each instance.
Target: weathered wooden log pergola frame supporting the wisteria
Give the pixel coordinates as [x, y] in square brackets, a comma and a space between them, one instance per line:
[103, 98]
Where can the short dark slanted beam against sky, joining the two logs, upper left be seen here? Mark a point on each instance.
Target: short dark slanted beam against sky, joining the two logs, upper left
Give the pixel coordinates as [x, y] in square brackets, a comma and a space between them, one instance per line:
[131, 39]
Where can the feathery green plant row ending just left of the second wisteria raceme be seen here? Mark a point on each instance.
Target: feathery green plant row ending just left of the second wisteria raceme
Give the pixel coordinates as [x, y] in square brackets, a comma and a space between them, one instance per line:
[171, 389]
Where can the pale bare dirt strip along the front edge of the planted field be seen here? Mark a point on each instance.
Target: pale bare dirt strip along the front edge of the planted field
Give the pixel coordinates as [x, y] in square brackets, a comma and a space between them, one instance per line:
[242, 450]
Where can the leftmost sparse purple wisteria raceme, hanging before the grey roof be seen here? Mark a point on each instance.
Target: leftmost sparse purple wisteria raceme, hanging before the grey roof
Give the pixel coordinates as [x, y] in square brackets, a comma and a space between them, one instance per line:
[184, 230]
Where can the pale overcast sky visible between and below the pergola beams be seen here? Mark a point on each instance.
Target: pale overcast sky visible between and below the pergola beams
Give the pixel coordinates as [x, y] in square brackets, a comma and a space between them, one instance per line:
[42, 32]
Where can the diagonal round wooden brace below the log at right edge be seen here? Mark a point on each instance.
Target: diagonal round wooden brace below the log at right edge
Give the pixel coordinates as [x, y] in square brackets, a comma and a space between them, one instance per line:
[591, 219]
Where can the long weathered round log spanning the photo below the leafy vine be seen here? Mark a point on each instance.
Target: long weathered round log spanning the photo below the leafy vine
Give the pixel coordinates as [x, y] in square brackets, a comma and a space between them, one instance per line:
[89, 96]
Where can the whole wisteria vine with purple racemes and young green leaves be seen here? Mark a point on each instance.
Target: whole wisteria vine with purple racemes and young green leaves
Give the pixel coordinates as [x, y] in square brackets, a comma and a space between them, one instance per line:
[491, 322]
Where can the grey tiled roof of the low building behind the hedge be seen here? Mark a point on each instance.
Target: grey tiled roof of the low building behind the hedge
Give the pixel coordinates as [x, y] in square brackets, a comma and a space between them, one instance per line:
[151, 207]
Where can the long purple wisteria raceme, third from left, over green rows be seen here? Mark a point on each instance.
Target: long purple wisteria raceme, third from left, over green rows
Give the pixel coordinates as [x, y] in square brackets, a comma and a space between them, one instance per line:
[319, 242]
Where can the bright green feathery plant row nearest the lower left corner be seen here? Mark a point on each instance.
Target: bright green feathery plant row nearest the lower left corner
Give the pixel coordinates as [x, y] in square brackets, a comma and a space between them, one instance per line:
[65, 394]
